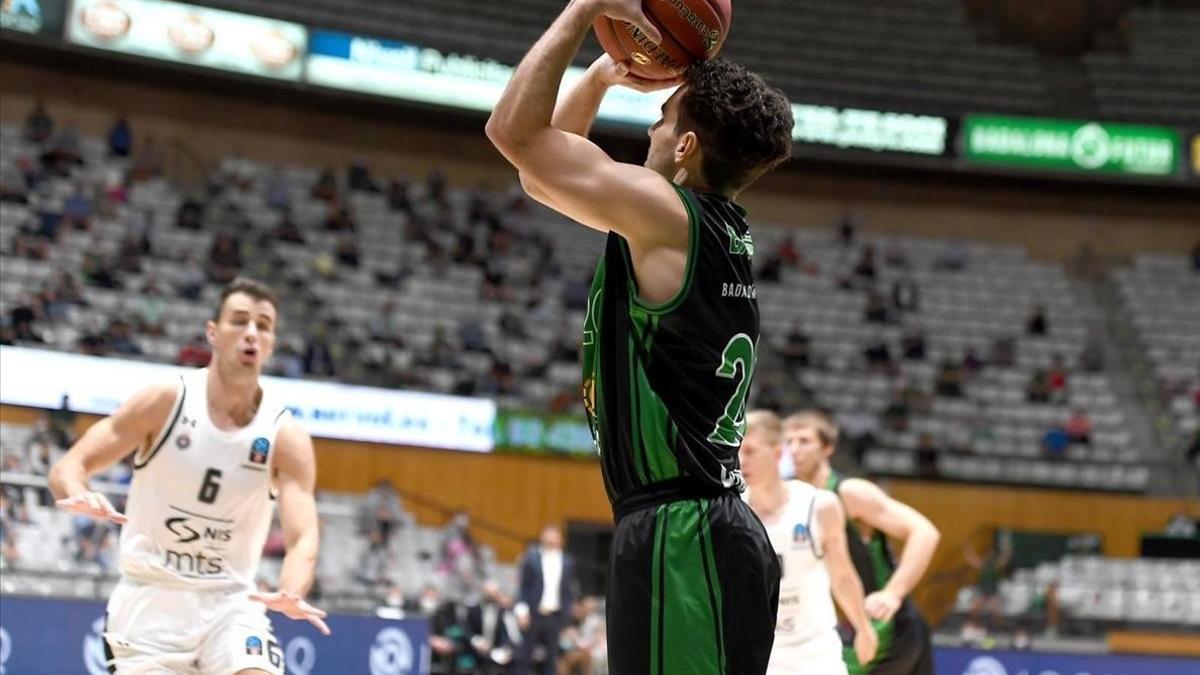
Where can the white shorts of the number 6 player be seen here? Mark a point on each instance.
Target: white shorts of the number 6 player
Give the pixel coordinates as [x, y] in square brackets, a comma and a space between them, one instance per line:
[155, 630]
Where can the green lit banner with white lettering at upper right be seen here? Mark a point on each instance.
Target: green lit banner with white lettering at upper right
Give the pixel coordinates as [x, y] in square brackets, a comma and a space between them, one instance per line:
[1072, 146]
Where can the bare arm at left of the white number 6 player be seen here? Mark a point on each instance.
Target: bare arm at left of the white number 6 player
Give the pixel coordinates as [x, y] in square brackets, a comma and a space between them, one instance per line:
[134, 427]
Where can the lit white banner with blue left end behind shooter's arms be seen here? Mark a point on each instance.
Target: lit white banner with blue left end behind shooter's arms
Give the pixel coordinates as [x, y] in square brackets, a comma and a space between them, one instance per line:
[413, 73]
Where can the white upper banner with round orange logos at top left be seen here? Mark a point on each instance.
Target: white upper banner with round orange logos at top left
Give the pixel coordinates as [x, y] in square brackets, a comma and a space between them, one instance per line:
[193, 35]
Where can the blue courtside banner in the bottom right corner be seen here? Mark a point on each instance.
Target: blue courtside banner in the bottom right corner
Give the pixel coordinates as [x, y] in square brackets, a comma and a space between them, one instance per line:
[976, 662]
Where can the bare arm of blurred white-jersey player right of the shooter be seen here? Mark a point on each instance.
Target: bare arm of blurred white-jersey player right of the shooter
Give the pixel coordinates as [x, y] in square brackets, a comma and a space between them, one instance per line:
[844, 582]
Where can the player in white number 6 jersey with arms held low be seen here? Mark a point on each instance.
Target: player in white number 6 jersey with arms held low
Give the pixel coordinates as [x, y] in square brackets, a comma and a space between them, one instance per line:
[213, 450]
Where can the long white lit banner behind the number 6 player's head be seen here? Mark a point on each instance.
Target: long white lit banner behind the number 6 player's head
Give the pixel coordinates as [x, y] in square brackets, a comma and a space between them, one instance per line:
[94, 385]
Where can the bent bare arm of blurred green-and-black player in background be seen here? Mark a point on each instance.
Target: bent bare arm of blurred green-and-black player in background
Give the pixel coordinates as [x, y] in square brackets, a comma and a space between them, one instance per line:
[867, 503]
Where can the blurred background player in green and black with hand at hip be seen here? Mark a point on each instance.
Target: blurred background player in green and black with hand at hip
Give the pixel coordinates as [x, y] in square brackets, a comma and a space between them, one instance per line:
[873, 518]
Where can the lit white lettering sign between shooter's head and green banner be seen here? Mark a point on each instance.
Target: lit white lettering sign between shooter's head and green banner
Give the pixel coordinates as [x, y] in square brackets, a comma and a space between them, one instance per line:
[879, 132]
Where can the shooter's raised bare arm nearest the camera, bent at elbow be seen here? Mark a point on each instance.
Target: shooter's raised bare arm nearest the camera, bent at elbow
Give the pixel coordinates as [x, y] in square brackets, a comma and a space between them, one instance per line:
[569, 172]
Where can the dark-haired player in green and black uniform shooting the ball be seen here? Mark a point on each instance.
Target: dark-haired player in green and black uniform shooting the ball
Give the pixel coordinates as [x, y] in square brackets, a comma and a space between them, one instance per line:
[669, 341]
